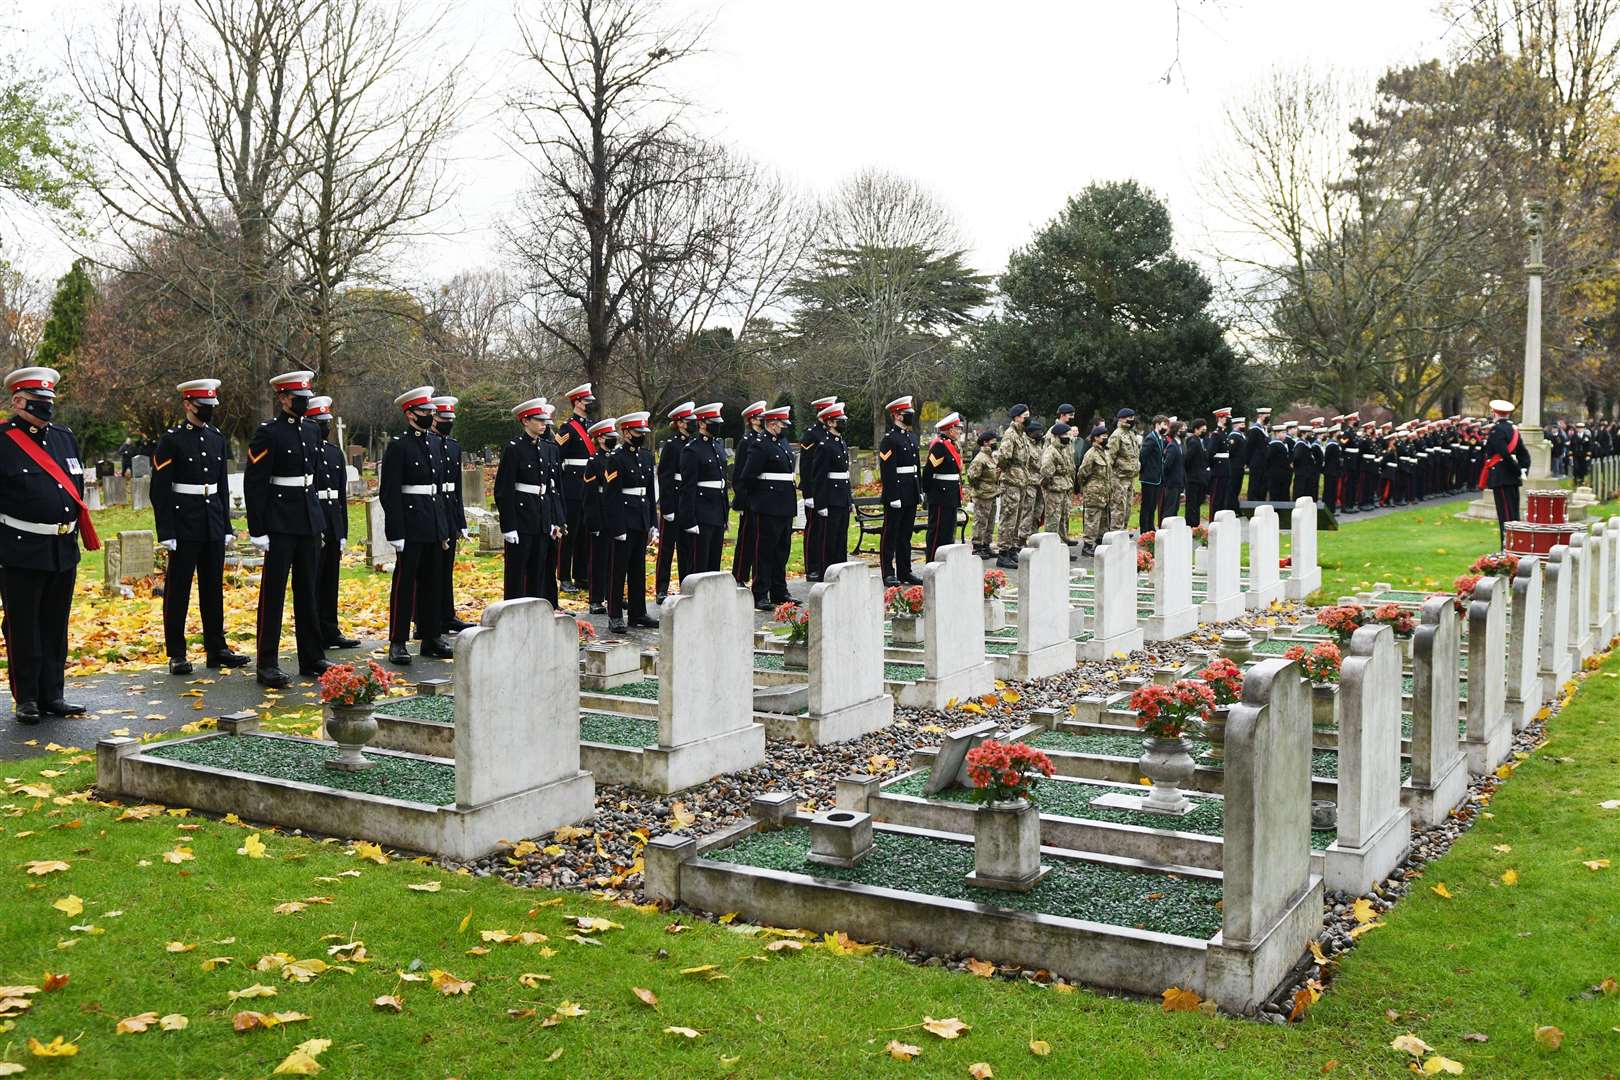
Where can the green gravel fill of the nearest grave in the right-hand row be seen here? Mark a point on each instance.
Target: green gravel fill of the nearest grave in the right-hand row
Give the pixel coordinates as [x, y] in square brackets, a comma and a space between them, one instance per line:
[1073, 890]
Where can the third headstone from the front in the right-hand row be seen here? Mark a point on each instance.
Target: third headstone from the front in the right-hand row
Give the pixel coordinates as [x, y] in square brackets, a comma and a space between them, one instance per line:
[1439, 772]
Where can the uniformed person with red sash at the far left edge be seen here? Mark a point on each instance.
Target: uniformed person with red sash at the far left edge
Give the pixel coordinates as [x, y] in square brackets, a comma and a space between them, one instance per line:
[43, 493]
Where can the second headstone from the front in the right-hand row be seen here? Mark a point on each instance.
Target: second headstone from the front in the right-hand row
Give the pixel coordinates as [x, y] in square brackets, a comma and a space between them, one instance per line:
[1375, 831]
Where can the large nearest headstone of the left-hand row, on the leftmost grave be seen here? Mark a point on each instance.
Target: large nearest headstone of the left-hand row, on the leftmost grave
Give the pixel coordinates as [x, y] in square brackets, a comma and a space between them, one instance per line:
[518, 713]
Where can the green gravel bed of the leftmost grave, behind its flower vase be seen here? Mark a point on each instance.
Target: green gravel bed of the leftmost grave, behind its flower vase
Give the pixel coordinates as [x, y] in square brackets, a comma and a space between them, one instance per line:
[299, 760]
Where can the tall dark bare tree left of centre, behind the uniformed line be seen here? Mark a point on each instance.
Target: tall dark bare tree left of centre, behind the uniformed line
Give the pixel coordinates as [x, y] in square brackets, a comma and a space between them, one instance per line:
[605, 135]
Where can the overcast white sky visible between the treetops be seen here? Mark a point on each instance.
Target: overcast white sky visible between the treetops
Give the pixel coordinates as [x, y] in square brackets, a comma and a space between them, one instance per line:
[1004, 108]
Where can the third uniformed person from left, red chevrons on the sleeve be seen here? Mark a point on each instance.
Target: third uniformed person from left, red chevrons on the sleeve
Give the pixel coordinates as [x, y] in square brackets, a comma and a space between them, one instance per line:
[286, 524]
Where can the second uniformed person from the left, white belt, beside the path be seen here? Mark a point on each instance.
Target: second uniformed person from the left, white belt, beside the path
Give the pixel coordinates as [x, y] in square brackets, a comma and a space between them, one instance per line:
[190, 504]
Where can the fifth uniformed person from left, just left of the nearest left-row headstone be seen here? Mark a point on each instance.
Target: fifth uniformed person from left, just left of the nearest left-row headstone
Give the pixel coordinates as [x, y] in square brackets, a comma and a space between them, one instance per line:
[417, 525]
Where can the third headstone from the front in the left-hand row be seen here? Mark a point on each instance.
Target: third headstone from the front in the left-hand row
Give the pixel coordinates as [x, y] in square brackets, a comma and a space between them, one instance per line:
[846, 653]
